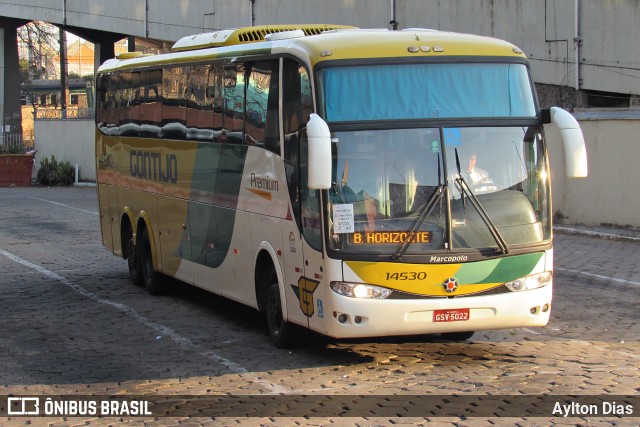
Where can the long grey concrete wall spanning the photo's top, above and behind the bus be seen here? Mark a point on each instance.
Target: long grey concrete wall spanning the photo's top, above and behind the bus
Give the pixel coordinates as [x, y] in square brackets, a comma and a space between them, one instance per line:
[609, 54]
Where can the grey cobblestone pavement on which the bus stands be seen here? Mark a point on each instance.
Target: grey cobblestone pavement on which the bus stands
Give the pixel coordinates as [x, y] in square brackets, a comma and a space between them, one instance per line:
[72, 323]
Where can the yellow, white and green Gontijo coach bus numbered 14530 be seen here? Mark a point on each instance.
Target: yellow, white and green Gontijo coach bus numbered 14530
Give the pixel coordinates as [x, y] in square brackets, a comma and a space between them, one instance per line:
[352, 182]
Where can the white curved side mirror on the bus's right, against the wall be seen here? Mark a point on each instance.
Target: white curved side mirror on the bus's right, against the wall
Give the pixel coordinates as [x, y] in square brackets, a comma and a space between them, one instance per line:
[575, 151]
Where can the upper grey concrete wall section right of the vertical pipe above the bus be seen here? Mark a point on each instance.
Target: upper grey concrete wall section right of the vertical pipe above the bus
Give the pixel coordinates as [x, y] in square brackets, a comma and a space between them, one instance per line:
[609, 55]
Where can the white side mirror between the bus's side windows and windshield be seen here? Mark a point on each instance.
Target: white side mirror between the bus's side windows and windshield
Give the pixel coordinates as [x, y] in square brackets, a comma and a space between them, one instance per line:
[319, 138]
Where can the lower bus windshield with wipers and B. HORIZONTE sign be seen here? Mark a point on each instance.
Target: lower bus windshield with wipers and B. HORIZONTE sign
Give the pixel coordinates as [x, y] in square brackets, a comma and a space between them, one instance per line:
[389, 189]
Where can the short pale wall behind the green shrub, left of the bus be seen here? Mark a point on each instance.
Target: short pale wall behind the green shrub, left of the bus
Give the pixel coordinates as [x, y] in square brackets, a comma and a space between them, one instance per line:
[68, 140]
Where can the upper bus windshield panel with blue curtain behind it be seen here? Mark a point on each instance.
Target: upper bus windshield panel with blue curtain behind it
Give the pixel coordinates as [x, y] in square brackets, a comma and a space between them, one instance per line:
[427, 91]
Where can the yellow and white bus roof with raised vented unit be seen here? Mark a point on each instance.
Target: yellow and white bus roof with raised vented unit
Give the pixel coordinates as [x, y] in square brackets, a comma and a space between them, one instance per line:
[323, 43]
